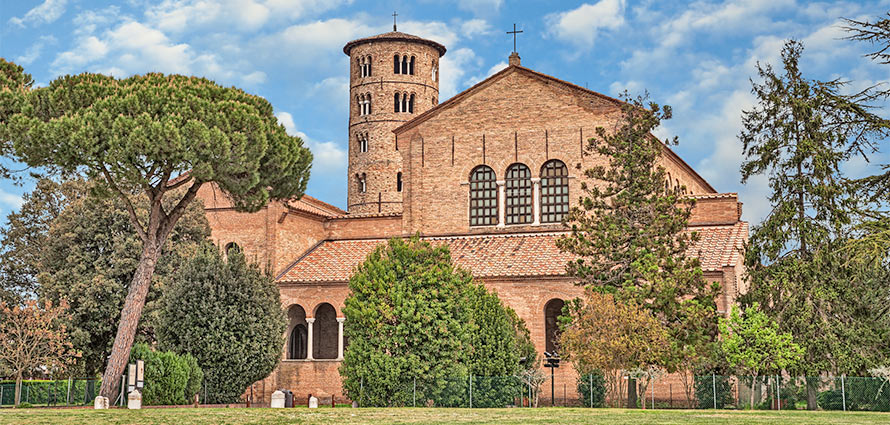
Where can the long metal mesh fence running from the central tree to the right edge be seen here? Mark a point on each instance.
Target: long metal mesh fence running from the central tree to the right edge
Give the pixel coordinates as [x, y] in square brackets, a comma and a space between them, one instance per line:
[666, 392]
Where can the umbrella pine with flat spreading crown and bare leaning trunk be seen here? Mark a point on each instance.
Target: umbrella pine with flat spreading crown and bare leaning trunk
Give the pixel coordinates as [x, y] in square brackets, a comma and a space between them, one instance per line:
[150, 134]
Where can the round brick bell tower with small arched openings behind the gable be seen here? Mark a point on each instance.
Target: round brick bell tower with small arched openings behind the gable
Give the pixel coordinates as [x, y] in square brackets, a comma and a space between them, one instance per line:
[393, 78]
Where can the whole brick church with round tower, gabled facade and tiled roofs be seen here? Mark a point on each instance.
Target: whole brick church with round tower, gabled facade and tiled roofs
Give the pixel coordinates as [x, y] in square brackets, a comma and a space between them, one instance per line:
[490, 173]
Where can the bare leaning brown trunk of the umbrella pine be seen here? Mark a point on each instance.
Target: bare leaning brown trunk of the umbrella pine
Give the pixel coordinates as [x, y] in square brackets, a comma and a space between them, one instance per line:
[130, 314]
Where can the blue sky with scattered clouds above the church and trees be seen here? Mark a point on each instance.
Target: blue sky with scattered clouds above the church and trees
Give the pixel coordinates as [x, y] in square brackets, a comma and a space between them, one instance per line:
[696, 56]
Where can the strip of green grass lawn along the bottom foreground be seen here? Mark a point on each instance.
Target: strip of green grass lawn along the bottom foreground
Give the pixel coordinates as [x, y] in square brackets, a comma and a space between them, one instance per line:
[328, 416]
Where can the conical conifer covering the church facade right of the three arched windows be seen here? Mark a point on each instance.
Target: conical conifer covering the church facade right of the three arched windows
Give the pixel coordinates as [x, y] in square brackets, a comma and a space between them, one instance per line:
[629, 234]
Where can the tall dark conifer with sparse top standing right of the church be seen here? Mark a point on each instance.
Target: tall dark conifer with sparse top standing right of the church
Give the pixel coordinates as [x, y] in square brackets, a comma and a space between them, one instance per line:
[800, 134]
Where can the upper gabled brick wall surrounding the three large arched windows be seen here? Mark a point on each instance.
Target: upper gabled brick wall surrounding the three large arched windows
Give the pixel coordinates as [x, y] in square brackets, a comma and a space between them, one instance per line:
[517, 118]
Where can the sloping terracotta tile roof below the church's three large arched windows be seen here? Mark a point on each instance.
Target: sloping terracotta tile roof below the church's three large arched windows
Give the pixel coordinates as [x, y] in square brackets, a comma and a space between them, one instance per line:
[511, 255]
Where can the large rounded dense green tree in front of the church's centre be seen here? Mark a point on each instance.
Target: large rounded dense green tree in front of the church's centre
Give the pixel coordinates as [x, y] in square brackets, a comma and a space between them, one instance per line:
[412, 314]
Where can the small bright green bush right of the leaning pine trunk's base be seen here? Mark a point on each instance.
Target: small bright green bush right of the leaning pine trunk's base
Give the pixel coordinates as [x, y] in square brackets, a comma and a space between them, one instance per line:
[167, 376]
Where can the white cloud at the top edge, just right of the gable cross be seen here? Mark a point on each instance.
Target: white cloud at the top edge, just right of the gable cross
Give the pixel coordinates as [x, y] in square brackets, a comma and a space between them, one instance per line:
[580, 26]
